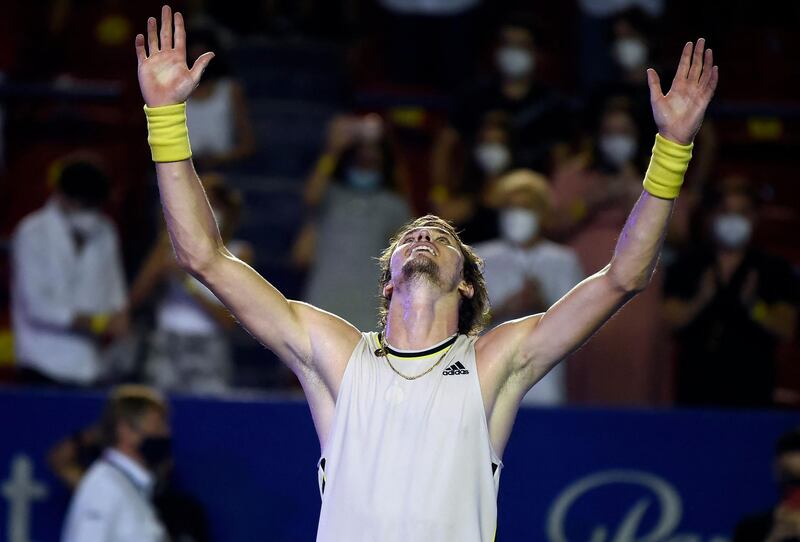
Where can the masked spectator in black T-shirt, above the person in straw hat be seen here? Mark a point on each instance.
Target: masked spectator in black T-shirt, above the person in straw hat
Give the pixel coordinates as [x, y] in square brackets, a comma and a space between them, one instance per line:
[538, 118]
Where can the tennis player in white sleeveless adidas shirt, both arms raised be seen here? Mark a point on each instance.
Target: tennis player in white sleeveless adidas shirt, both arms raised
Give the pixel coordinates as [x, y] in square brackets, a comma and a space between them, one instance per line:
[412, 421]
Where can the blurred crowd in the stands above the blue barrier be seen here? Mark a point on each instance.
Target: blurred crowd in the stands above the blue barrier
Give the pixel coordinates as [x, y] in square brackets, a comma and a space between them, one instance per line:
[320, 128]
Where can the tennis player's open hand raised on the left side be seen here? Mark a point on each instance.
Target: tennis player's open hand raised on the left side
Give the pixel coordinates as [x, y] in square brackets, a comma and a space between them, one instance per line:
[164, 76]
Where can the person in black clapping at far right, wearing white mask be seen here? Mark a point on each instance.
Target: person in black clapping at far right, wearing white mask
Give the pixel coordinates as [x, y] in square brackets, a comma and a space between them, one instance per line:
[730, 306]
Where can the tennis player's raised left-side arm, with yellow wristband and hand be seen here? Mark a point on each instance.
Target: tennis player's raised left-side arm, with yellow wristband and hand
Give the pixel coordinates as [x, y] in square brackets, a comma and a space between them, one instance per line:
[299, 334]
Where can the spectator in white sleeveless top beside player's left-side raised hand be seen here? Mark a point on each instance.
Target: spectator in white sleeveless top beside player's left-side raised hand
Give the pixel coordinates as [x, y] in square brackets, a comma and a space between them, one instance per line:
[217, 116]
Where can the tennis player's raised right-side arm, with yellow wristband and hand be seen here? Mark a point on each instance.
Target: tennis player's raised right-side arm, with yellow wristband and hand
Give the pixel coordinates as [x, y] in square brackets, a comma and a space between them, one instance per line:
[533, 345]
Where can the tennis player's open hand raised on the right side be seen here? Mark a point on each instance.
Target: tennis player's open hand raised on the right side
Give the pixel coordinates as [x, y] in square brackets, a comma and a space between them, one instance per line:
[679, 114]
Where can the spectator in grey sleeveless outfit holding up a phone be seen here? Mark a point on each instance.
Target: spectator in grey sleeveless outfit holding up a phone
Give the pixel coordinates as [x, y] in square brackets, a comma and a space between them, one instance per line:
[353, 192]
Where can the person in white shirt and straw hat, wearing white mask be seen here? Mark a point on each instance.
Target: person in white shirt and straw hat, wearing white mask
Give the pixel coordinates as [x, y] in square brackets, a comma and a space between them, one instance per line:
[526, 273]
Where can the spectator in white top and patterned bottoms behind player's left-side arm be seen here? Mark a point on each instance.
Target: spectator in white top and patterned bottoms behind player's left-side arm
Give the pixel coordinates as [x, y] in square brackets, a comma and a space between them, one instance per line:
[189, 350]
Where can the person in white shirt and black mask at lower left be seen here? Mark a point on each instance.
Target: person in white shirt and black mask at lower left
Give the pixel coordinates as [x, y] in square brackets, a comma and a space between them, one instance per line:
[113, 500]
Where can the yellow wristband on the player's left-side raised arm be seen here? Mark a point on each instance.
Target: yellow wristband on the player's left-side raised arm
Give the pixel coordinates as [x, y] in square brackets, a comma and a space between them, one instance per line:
[168, 135]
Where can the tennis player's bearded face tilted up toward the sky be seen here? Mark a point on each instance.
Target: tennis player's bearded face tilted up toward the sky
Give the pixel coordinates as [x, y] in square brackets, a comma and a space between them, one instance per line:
[430, 254]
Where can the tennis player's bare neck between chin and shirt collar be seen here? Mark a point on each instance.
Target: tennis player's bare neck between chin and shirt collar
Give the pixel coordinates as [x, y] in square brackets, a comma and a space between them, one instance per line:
[420, 316]
